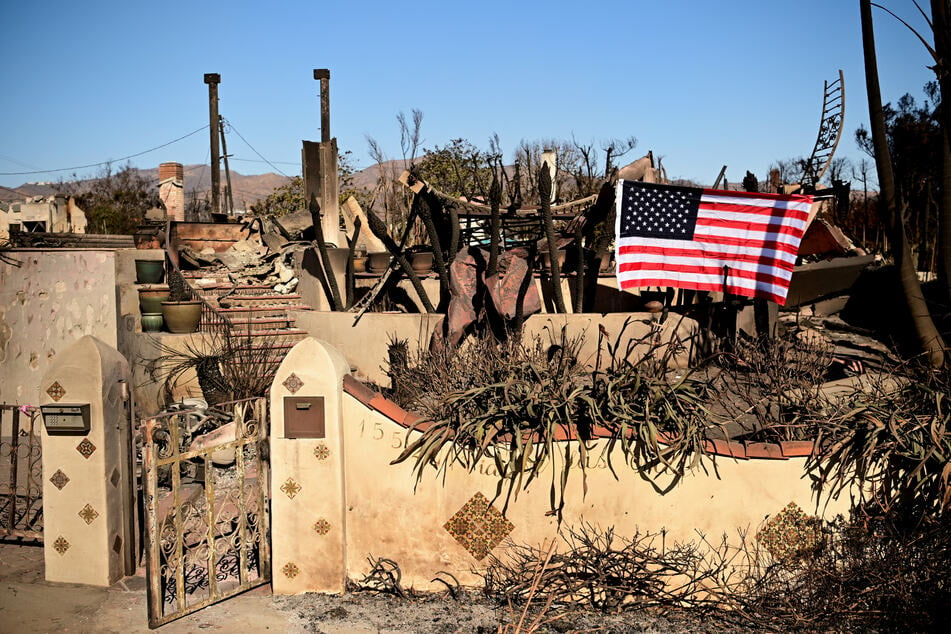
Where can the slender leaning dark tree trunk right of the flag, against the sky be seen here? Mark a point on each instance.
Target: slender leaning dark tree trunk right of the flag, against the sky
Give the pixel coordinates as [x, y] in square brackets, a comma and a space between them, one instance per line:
[928, 336]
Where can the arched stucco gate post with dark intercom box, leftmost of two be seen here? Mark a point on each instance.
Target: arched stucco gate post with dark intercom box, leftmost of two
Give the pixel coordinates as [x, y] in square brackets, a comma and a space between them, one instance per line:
[87, 509]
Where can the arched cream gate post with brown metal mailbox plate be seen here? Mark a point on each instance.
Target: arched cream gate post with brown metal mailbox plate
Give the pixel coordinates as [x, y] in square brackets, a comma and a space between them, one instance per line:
[308, 518]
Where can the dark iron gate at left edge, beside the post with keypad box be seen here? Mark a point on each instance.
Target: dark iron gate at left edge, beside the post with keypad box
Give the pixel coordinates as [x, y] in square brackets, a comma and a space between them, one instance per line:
[21, 473]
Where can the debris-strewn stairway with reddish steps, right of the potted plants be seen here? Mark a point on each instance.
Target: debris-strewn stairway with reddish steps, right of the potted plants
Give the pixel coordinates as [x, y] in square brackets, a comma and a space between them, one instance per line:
[254, 314]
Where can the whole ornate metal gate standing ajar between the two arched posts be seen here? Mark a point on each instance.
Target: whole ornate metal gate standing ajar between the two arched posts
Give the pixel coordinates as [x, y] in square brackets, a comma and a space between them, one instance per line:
[206, 509]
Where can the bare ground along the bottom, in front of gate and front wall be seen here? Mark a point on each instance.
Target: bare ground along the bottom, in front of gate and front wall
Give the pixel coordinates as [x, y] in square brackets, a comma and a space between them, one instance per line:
[30, 604]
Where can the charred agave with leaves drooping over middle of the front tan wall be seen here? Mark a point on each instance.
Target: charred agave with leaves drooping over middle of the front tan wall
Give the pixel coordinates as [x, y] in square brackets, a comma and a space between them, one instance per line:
[507, 402]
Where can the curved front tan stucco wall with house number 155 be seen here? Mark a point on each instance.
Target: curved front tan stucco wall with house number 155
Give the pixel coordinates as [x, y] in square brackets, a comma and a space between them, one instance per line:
[386, 518]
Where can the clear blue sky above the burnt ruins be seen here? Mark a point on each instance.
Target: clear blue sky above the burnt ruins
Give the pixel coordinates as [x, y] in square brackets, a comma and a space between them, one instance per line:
[702, 84]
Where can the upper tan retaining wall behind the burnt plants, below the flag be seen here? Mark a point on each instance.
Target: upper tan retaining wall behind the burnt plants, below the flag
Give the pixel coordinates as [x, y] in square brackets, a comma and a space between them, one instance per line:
[365, 346]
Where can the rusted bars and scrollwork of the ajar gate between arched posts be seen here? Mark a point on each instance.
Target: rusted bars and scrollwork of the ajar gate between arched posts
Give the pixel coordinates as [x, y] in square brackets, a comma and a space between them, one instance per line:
[168, 555]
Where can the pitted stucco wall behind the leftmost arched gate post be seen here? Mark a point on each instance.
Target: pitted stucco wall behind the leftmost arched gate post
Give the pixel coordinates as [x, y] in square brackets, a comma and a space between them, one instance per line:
[49, 299]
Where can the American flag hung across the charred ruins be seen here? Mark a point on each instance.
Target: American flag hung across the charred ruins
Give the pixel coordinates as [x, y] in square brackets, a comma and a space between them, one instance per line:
[707, 239]
